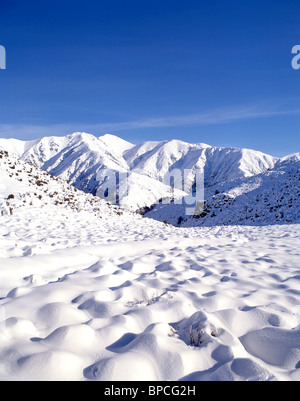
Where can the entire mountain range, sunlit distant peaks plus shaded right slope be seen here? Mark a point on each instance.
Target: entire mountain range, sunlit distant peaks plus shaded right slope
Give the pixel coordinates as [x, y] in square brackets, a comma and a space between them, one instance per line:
[231, 175]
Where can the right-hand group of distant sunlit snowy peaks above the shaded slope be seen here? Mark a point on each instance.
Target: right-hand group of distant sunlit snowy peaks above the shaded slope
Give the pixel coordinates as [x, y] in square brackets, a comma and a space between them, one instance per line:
[218, 164]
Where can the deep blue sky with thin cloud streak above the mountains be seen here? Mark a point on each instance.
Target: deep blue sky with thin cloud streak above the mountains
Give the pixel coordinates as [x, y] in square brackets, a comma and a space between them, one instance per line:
[210, 71]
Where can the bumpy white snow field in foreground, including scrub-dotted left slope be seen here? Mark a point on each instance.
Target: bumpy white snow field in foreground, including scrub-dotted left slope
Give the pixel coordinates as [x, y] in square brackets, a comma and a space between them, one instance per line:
[89, 291]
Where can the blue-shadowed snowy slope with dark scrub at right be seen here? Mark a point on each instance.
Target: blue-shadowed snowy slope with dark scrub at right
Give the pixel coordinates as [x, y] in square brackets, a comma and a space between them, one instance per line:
[271, 197]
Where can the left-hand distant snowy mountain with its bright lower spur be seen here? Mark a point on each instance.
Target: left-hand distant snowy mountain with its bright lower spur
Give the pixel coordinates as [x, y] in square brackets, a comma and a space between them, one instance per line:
[82, 159]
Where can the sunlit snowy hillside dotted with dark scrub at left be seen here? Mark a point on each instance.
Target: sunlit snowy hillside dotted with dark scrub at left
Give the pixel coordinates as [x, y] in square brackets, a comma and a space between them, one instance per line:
[24, 186]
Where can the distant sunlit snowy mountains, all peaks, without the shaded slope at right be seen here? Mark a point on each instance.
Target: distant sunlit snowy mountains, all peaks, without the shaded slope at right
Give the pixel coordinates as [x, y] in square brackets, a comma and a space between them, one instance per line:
[84, 160]
